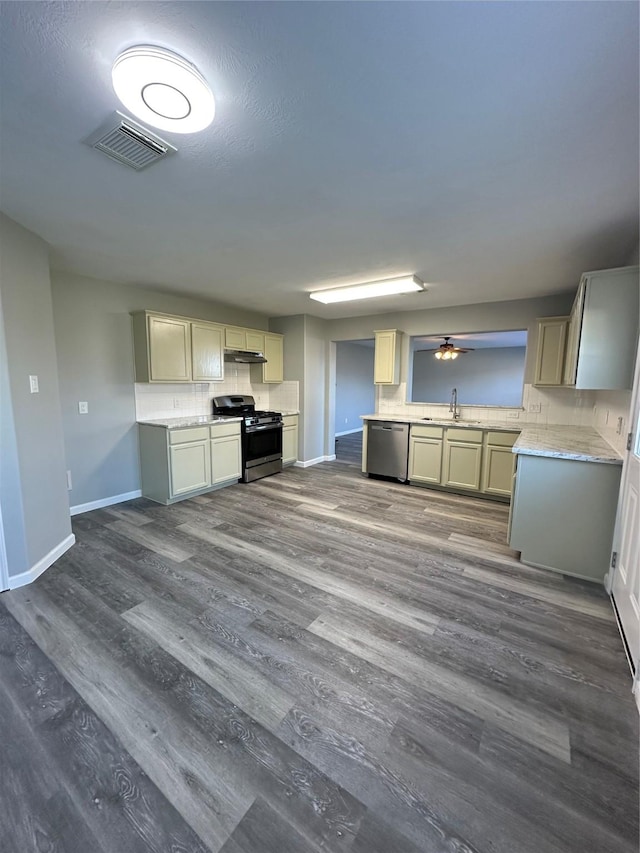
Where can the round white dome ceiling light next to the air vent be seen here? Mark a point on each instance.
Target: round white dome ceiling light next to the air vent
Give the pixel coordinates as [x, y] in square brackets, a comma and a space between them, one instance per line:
[163, 89]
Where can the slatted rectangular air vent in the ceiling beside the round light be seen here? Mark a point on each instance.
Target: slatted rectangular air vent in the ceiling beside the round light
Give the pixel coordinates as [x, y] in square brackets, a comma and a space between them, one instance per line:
[129, 143]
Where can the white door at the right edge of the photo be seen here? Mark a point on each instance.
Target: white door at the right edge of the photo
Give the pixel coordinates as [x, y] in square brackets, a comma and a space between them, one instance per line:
[625, 586]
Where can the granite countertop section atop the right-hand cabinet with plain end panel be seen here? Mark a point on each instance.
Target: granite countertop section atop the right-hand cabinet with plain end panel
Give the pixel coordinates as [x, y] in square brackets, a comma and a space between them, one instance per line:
[583, 444]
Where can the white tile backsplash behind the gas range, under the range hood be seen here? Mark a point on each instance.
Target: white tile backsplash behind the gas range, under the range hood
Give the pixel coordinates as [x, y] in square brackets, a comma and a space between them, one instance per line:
[181, 400]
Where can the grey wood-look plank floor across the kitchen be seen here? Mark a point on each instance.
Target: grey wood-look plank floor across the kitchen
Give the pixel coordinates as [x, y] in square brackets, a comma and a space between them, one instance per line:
[312, 662]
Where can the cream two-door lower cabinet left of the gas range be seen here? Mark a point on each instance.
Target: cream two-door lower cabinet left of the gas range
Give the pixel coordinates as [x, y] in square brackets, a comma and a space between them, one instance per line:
[178, 463]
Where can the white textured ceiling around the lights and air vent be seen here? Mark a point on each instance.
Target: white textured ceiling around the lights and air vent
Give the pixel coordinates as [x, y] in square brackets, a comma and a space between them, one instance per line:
[490, 148]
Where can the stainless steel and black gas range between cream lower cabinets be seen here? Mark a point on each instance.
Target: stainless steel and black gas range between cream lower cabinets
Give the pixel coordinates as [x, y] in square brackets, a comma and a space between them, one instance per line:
[261, 435]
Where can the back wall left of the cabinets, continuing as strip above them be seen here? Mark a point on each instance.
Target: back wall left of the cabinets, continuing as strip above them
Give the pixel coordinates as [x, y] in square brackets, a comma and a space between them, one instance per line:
[95, 364]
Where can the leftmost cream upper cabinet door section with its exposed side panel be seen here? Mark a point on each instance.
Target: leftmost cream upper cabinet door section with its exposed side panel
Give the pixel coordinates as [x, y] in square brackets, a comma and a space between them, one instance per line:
[162, 348]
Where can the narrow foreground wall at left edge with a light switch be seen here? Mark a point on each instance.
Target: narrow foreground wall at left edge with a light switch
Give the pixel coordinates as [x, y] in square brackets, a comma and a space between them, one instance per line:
[35, 508]
